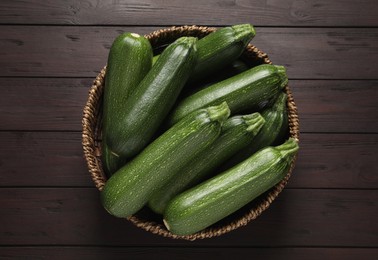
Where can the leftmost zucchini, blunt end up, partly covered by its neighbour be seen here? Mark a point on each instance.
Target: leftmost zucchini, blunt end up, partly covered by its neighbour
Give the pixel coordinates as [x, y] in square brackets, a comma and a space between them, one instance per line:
[129, 60]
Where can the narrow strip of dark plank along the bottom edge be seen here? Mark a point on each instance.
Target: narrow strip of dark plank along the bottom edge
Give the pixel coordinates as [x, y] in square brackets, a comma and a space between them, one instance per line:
[135, 253]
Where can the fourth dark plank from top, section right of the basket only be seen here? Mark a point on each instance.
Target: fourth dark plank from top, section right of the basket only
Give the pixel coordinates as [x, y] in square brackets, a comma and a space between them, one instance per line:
[336, 161]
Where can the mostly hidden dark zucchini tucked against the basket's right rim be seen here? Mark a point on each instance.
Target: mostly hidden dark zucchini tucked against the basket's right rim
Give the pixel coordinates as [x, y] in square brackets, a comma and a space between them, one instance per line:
[273, 131]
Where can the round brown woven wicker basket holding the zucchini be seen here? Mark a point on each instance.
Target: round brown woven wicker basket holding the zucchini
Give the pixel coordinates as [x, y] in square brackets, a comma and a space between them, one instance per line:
[147, 220]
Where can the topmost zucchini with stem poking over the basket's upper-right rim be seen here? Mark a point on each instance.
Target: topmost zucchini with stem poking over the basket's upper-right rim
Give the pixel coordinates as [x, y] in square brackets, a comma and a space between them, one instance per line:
[220, 48]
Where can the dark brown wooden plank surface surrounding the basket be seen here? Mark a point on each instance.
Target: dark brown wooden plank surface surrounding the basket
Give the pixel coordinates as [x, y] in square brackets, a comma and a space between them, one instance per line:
[50, 52]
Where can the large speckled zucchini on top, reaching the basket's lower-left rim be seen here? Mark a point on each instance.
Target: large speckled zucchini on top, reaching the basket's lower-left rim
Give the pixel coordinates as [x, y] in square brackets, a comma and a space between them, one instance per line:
[130, 188]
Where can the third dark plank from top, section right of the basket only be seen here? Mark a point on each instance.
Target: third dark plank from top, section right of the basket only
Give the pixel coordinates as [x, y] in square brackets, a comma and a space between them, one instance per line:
[336, 105]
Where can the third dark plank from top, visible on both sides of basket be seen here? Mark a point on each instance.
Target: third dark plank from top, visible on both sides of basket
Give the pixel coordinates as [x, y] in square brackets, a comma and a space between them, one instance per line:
[56, 104]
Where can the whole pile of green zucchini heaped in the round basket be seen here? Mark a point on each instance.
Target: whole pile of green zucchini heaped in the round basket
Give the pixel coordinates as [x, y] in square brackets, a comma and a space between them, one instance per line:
[194, 133]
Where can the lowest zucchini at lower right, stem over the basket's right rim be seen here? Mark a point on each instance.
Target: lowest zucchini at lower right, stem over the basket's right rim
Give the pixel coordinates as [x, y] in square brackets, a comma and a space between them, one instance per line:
[220, 196]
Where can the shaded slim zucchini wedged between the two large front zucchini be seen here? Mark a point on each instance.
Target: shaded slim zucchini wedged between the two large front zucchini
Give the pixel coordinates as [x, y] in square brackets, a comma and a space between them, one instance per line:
[237, 132]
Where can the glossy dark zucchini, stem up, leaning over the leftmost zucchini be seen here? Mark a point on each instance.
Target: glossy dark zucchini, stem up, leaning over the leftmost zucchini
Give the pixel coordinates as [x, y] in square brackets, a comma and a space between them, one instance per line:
[152, 100]
